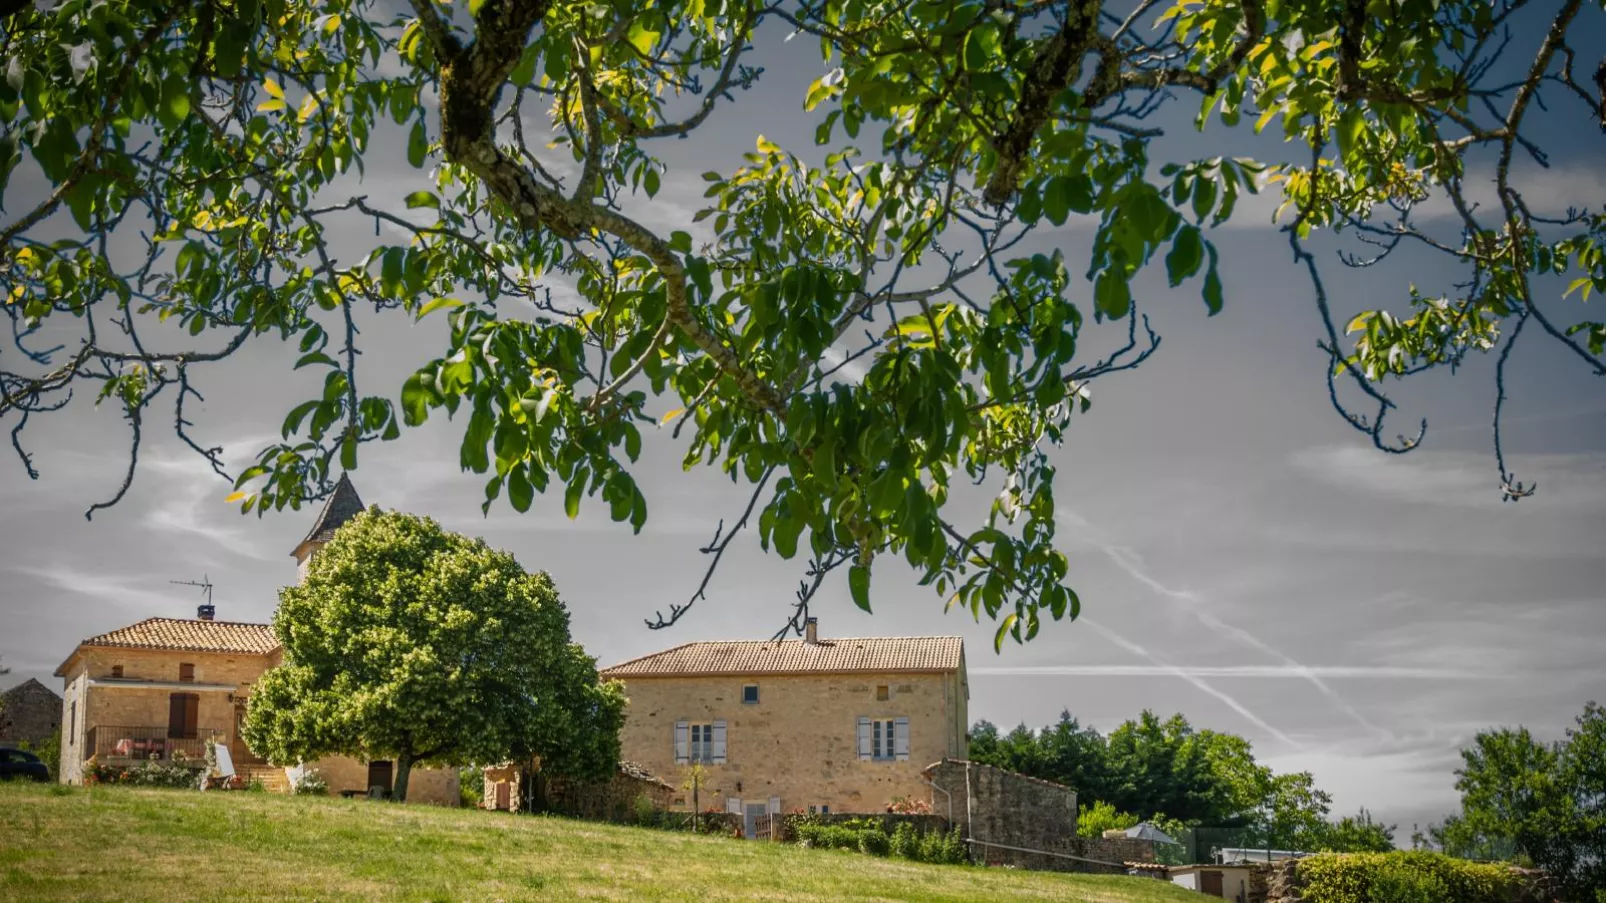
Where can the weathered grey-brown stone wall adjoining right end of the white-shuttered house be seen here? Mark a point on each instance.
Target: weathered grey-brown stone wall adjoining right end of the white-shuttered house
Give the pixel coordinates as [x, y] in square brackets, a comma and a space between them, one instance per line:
[1013, 820]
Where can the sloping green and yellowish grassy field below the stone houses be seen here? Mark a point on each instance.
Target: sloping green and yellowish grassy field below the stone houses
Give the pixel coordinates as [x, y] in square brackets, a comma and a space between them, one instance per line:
[165, 846]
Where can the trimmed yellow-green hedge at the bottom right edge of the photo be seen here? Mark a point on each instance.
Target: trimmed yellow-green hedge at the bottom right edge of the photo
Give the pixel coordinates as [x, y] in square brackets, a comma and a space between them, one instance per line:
[1403, 878]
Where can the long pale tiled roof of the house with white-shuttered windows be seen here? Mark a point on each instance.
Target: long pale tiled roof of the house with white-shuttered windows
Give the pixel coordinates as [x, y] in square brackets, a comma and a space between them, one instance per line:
[879, 655]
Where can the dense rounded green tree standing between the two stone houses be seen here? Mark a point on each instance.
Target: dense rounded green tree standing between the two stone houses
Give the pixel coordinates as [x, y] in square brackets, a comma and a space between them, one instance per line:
[412, 644]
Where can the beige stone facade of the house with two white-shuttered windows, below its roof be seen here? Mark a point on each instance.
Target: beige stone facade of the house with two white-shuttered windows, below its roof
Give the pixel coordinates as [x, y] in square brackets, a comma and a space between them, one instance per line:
[799, 743]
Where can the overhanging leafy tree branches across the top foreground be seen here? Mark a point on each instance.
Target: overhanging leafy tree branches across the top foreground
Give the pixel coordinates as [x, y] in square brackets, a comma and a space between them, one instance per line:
[187, 166]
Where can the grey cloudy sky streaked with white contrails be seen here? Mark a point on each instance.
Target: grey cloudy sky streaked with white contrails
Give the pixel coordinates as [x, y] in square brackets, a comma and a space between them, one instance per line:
[1242, 555]
